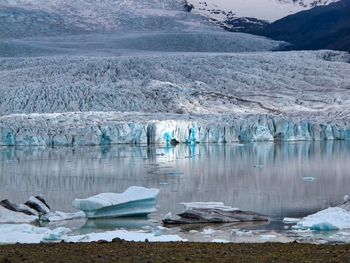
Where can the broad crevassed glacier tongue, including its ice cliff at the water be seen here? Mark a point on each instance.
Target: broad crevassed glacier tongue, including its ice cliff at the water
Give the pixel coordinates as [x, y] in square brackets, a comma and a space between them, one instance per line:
[186, 98]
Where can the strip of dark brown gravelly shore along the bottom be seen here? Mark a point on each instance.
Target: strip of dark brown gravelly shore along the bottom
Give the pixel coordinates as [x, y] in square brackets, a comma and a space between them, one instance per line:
[120, 251]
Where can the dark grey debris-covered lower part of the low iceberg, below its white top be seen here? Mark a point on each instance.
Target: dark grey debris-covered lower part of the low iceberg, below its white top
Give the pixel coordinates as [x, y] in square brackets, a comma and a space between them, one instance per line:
[215, 215]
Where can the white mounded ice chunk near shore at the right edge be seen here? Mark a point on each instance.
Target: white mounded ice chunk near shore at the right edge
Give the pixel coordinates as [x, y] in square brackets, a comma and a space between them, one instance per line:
[332, 218]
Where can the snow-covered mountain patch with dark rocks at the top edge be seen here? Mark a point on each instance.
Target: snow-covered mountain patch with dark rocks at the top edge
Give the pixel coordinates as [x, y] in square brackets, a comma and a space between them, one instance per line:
[240, 15]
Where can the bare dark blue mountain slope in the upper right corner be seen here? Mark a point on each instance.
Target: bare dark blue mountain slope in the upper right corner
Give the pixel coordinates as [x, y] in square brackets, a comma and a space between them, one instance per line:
[326, 27]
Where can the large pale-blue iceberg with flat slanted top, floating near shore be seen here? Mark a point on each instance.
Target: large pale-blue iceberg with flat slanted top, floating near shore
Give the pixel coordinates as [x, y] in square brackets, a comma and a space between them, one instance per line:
[135, 201]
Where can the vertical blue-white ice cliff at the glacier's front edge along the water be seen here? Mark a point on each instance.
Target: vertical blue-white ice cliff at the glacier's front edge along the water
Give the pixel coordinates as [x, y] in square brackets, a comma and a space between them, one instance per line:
[104, 128]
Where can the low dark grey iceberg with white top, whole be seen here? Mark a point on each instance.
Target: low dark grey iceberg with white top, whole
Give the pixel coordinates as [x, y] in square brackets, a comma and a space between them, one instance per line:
[213, 212]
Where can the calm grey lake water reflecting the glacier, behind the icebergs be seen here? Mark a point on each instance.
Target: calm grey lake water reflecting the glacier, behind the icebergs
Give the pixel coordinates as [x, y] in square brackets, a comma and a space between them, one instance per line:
[263, 177]
